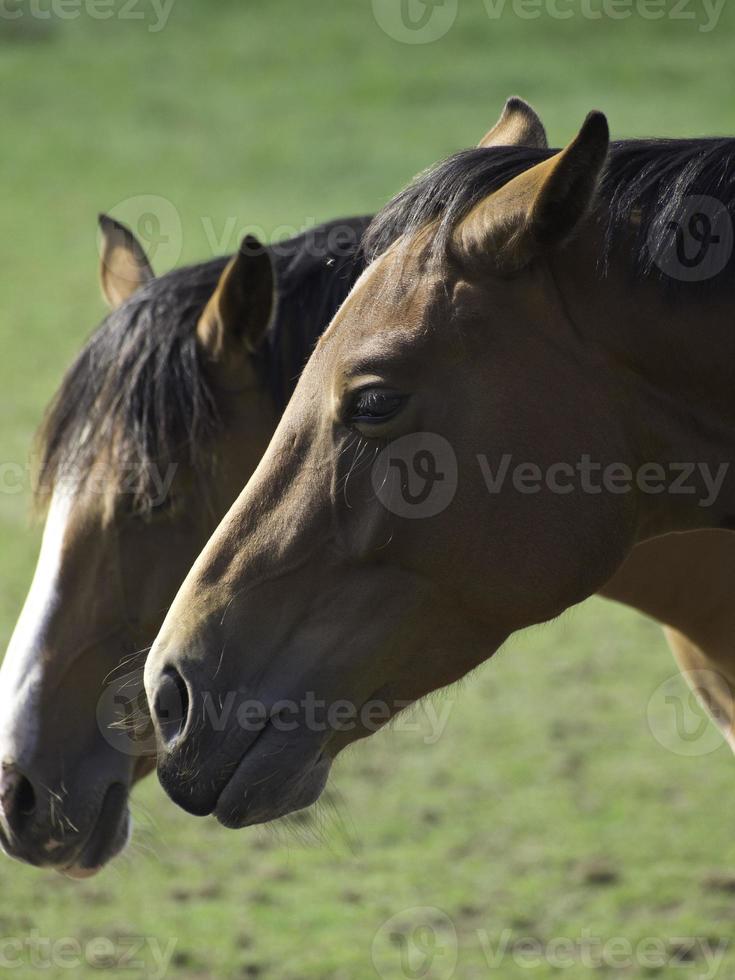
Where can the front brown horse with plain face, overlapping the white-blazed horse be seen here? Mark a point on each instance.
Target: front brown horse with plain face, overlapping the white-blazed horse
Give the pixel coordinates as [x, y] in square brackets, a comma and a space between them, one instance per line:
[516, 393]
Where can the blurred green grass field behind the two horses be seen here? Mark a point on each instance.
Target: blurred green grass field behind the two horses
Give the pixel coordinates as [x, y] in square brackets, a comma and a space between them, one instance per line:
[547, 811]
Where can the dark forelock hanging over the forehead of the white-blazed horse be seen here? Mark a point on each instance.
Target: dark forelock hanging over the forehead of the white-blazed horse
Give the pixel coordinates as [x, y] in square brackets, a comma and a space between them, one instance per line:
[136, 394]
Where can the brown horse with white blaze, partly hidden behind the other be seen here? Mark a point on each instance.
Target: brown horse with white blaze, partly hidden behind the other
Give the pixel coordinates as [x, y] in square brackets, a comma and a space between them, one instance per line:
[156, 427]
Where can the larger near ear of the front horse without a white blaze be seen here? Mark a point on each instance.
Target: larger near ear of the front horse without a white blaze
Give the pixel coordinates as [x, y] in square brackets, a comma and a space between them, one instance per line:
[541, 207]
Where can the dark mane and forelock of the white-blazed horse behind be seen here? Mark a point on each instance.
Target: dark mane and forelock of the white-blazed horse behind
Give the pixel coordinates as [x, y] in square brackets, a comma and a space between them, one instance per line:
[138, 397]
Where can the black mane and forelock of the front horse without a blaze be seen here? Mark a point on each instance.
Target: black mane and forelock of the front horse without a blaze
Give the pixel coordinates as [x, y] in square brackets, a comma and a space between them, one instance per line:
[644, 185]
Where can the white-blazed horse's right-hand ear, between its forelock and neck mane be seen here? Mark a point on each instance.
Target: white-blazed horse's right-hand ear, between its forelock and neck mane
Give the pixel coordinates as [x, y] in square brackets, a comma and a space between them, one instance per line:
[238, 313]
